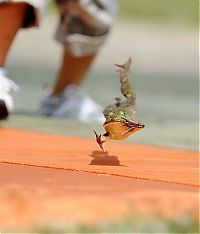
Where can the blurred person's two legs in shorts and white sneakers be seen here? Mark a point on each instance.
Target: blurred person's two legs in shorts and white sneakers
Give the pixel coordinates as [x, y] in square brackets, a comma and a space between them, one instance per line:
[83, 27]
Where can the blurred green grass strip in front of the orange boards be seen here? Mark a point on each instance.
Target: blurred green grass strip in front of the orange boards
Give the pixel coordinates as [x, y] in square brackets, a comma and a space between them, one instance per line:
[128, 225]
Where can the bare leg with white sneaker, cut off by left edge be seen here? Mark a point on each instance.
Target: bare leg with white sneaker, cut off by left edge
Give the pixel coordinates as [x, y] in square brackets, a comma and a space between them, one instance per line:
[11, 19]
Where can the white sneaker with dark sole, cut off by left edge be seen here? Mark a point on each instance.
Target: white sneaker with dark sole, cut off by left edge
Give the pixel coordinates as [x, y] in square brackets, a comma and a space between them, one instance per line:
[6, 102]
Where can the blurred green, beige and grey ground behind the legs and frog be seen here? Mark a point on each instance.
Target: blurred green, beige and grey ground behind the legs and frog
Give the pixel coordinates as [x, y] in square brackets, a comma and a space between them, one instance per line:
[162, 39]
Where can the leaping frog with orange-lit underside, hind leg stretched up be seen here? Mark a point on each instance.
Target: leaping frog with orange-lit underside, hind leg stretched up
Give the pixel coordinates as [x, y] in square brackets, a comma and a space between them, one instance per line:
[120, 122]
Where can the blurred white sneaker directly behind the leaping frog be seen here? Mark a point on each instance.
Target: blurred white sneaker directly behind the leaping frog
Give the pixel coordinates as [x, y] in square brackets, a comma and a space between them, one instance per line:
[72, 104]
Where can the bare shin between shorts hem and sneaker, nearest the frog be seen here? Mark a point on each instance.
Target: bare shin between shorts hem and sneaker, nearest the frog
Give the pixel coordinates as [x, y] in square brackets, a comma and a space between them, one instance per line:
[72, 71]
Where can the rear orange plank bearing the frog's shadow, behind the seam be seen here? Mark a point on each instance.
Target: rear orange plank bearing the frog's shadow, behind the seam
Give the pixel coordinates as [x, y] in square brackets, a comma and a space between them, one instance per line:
[79, 154]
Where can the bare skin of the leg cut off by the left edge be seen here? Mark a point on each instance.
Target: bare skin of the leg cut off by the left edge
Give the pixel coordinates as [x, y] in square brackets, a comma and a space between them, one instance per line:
[11, 18]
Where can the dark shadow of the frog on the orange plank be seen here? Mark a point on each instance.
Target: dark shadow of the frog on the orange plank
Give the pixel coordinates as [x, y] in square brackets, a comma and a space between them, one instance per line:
[104, 159]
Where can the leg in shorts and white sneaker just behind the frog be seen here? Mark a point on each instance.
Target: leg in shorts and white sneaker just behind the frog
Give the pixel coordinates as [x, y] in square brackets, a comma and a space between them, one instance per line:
[81, 39]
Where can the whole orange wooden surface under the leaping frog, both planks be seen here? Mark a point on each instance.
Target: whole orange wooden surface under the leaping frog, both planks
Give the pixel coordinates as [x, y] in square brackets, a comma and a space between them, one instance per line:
[69, 177]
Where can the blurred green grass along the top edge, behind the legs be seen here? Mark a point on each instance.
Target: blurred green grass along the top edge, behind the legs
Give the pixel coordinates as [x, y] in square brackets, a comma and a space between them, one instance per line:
[185, 11]
